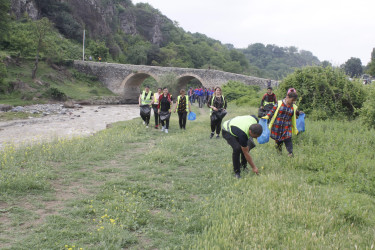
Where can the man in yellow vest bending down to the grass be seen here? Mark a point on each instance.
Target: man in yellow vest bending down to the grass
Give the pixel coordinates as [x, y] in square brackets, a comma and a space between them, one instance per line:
[239, 133]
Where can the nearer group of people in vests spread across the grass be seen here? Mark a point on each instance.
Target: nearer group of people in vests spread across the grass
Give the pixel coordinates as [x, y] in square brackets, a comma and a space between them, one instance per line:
[239, 131]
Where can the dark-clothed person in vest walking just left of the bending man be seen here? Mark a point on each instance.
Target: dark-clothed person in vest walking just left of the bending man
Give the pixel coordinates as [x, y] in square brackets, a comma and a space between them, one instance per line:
[218, 106]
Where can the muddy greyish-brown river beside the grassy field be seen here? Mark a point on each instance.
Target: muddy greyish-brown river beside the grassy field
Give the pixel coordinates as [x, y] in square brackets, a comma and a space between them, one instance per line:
[78, 122]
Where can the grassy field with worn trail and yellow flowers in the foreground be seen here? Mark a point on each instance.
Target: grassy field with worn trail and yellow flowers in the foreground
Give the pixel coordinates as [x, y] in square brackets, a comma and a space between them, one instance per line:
[137, 188]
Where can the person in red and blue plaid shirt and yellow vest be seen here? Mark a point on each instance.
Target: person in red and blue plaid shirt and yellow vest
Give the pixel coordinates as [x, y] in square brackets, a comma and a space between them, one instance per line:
[284, 122]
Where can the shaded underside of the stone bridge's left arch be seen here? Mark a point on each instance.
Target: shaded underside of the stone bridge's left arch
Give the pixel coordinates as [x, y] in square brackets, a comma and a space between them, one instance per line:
[130, 86]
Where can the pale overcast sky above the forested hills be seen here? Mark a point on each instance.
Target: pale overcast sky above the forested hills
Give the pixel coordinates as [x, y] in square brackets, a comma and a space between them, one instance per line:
[333, 30]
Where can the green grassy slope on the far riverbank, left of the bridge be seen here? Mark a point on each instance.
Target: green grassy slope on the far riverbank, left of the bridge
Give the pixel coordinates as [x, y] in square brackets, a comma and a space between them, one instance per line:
[74, 85]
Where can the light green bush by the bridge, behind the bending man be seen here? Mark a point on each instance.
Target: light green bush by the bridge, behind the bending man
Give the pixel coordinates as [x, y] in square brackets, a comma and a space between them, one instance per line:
[241, 94]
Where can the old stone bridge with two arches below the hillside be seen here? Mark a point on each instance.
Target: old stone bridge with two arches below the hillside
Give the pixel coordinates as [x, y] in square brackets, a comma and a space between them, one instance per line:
[125, 79]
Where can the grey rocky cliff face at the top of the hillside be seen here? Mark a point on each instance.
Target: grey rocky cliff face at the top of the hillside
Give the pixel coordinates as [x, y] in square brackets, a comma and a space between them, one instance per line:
[100, 18]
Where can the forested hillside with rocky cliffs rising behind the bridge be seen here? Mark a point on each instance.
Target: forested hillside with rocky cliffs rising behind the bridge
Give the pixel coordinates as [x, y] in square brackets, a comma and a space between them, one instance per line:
[119, 31]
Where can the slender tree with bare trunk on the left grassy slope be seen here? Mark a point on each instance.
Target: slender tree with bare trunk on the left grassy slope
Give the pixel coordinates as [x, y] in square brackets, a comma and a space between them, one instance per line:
[41, 29]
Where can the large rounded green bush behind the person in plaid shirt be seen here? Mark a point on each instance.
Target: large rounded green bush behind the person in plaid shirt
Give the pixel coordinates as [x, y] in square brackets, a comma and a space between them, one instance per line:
[325, 92]
